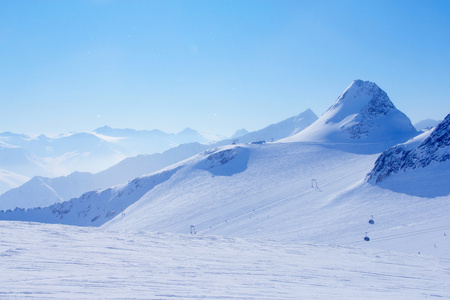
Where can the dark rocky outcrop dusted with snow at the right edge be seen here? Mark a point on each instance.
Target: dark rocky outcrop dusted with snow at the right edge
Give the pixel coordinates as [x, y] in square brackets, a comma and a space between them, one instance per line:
[430, 148]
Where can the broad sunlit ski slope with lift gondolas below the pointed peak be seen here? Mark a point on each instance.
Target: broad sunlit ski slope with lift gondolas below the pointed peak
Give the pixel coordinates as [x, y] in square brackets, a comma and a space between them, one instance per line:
[270, 196]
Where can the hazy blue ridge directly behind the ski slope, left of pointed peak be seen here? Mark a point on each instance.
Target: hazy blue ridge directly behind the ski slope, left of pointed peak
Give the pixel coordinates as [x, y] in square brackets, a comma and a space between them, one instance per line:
[55, 190]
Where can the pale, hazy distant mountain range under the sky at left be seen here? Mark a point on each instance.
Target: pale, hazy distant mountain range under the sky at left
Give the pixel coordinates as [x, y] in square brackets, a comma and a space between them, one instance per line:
[23, 157]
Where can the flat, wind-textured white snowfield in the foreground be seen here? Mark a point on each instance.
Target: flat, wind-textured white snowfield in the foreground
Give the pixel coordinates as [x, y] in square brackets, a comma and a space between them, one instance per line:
[56, 261]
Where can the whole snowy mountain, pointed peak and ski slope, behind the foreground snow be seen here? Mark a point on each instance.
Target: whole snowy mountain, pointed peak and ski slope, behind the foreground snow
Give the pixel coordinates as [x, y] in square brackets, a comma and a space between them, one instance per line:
[293, 191]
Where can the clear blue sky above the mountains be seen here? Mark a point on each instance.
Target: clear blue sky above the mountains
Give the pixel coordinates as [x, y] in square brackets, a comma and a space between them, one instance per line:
[214, 66]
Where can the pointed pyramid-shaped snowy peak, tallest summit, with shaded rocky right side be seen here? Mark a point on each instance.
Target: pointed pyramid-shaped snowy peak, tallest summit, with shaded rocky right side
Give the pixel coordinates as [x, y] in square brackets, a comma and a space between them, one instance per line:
[363, 113]
